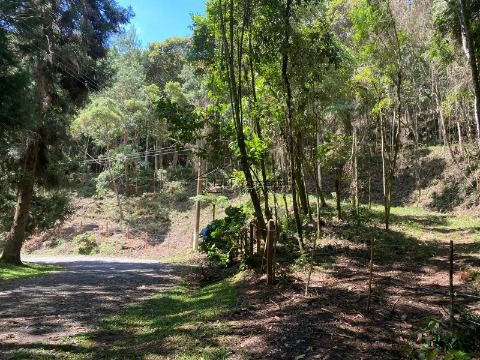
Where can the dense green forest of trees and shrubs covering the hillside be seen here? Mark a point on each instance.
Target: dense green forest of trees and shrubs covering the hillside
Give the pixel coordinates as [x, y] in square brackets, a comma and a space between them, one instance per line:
[281, 101]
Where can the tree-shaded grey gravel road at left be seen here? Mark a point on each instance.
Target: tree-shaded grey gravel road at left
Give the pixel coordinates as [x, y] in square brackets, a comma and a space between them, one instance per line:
[45, 309]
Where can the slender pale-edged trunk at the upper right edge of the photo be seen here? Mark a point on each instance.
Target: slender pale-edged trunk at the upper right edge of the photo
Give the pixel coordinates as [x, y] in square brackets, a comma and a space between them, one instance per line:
[469, 48]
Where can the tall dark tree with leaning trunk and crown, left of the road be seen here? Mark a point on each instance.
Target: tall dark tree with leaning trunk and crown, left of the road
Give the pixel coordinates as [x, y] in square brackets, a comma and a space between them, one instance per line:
[61, 44]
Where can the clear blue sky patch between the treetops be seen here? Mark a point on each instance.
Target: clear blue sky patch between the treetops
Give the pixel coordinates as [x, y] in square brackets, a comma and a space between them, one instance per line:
[157, 20]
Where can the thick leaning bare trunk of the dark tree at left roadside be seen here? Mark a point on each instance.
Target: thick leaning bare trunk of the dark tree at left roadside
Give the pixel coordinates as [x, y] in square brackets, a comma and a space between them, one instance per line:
[13, 246]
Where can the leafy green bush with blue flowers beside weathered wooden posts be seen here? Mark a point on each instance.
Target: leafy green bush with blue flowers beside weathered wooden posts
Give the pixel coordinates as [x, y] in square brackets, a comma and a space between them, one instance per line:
[221, 238]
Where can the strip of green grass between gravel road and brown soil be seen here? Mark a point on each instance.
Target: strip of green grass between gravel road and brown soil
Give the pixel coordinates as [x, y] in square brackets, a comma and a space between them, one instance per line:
[182, 323]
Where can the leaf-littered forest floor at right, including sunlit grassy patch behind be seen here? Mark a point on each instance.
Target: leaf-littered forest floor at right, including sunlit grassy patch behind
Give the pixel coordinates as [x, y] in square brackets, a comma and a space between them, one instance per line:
[410, 284]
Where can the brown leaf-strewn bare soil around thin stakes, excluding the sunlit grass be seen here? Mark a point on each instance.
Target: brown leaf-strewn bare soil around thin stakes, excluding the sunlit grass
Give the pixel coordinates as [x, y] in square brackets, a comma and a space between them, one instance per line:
[332, 322]
